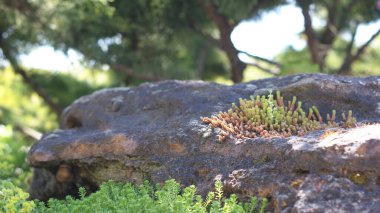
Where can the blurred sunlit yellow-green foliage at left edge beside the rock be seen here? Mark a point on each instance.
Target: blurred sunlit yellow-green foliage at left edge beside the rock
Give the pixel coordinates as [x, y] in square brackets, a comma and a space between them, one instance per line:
[21, 108]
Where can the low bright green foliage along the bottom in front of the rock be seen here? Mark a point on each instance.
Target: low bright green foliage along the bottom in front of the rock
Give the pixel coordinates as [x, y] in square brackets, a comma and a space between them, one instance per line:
[118, 197]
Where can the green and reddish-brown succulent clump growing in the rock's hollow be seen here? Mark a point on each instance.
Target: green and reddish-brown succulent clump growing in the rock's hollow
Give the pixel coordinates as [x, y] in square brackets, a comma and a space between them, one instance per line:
[263, 116]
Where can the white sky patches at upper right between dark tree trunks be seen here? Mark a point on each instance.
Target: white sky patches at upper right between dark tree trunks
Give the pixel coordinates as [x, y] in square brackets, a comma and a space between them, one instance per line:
[279, 29]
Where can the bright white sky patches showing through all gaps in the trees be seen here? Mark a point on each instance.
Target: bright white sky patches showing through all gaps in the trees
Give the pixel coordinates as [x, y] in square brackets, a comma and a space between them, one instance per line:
[265, 37]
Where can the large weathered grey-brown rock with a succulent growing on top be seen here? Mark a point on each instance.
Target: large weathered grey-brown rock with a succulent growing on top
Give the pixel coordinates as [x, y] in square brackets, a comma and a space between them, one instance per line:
[154, 132]
